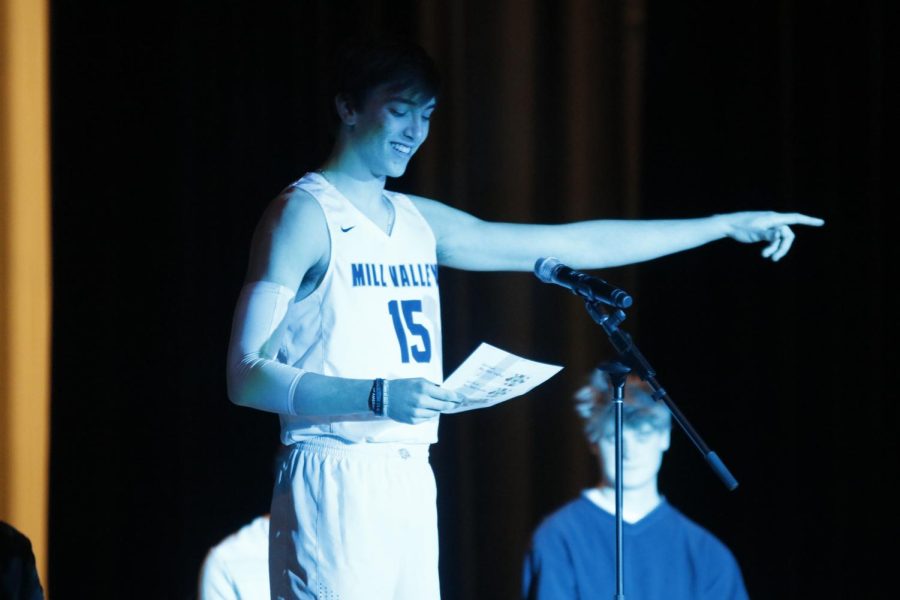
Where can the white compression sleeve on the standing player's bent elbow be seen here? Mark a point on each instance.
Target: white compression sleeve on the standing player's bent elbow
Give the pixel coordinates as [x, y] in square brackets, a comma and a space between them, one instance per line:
[254, 378]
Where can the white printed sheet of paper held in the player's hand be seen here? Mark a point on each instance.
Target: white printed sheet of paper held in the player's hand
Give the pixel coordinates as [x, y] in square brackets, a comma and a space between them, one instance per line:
[491, 375]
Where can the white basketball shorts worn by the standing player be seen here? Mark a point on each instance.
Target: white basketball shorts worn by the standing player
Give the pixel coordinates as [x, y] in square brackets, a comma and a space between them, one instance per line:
[354, 522]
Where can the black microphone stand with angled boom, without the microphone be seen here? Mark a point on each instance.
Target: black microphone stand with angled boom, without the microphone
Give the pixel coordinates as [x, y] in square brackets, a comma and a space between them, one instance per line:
[634, 361]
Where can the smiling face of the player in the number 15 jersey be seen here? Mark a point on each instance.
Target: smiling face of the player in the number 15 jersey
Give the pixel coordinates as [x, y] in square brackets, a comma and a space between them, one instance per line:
[388, 129]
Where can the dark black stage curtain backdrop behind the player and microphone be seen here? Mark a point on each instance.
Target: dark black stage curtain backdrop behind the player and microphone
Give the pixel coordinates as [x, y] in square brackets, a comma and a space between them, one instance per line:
[174, 123]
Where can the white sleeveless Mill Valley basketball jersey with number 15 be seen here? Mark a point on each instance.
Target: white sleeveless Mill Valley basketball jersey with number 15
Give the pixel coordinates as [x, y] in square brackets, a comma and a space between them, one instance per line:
[376, 313]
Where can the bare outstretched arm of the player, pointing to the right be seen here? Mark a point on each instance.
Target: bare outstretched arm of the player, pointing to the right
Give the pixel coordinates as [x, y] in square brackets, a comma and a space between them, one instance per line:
[466, 242]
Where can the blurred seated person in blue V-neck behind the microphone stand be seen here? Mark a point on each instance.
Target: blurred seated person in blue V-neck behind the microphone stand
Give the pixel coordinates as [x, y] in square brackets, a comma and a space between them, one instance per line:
[667, 556]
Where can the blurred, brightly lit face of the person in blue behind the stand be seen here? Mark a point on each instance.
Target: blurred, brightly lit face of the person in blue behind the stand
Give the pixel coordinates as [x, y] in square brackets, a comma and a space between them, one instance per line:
[642, 451]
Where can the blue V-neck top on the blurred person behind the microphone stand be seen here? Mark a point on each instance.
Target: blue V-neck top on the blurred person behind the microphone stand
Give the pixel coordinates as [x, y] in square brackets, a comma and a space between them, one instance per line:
[667, 557]
